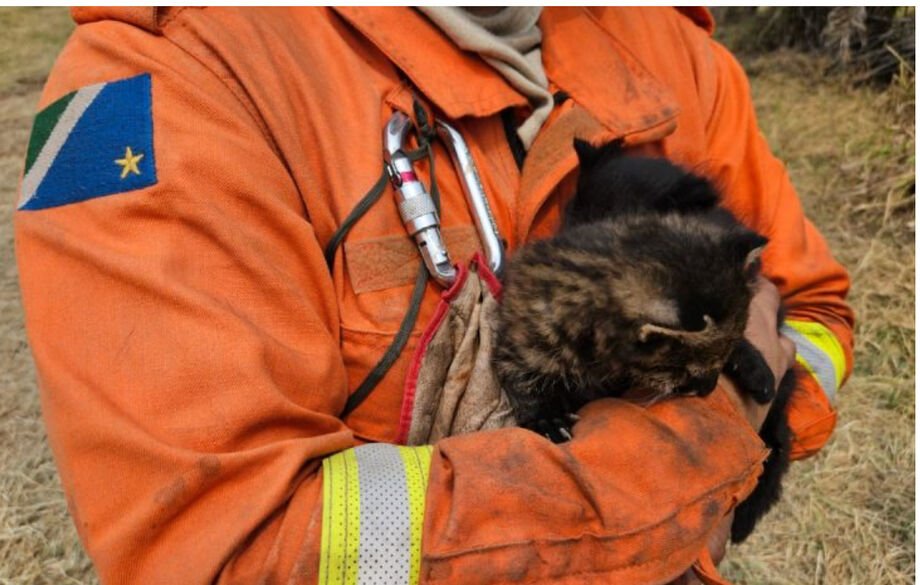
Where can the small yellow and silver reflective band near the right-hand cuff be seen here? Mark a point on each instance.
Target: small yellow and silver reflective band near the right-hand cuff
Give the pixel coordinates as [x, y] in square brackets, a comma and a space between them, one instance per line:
[820, 352]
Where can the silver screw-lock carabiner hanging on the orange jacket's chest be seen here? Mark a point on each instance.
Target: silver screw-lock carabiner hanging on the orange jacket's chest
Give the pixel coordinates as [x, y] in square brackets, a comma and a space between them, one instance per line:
[417, 209]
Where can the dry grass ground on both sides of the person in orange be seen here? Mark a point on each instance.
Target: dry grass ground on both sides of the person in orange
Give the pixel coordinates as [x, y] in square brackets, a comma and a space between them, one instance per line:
[848, 515]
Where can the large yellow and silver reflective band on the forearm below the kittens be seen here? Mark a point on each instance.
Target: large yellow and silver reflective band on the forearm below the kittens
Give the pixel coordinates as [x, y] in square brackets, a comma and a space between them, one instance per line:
[373, 514]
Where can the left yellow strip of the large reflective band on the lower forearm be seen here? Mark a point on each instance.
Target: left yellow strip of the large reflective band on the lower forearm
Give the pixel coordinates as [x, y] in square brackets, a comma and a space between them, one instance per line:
[341, 533]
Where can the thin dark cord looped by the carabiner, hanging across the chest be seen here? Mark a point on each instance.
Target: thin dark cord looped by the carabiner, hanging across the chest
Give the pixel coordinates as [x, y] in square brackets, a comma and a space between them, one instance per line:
[421, 280]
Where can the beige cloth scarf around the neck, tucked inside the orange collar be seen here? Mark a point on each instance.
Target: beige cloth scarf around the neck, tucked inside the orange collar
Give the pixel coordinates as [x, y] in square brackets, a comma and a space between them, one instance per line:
[509, 41]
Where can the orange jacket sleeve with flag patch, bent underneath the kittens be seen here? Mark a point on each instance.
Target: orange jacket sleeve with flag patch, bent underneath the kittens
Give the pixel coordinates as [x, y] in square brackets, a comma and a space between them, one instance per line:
[187, 346]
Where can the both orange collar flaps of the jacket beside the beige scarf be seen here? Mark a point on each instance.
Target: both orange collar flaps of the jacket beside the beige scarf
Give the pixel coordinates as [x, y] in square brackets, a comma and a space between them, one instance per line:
[615, 89]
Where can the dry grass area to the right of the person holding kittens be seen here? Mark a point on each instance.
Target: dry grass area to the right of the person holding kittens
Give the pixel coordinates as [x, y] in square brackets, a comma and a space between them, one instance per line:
[848, 514]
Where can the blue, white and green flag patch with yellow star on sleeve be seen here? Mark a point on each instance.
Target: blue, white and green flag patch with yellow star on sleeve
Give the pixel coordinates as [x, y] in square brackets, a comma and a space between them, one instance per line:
[92, 142]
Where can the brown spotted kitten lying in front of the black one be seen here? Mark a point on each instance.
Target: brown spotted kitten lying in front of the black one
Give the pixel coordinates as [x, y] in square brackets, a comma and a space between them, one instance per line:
[618, 304]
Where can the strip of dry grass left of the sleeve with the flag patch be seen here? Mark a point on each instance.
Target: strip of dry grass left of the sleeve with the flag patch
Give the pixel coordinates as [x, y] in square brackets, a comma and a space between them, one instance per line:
[38, 543]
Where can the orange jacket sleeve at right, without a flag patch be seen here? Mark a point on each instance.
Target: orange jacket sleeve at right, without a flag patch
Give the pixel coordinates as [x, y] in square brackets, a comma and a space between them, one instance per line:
[814, 285]
